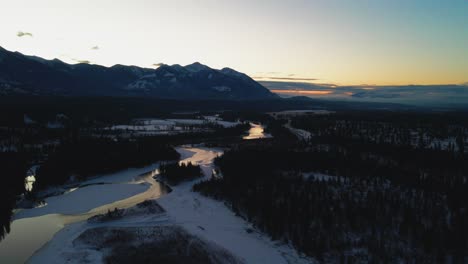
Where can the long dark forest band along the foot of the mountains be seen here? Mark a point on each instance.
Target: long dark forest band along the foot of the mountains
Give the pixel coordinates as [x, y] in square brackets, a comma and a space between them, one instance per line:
[116, 109]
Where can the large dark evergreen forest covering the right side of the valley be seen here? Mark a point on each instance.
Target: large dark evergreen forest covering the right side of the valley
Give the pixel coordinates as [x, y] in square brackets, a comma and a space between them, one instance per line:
[379, 201]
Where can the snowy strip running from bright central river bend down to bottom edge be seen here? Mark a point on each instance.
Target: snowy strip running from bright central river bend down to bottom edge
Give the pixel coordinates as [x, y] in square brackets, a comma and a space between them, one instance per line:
[213, 221]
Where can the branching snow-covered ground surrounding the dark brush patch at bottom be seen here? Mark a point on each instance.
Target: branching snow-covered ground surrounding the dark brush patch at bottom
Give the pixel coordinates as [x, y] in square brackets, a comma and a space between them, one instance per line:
[200, 216]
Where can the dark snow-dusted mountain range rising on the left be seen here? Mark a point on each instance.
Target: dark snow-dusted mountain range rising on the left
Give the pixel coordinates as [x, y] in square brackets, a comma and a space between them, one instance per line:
[30, 75]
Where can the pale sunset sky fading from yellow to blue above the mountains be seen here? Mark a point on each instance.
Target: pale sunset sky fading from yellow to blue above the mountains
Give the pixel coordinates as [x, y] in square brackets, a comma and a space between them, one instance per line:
[343, 42]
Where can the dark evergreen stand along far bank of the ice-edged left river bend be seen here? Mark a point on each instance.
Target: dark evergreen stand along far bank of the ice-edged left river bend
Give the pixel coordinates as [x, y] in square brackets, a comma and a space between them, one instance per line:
[85, 157]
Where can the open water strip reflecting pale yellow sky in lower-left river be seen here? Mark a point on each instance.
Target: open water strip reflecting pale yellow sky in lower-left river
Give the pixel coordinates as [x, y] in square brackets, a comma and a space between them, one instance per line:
[29, 234]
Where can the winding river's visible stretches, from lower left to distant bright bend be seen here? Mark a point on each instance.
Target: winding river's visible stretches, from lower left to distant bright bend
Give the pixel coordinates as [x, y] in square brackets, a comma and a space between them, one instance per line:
[32, 230]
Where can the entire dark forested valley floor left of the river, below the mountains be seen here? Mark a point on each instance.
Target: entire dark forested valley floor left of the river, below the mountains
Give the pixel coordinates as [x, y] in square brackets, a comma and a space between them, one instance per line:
[81, 148]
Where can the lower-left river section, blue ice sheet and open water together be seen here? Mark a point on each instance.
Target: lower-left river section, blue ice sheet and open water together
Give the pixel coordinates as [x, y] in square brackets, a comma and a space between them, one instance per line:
[33, 228]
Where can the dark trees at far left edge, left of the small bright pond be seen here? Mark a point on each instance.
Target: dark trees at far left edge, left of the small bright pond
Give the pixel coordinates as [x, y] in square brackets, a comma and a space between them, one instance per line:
[13, 171]
